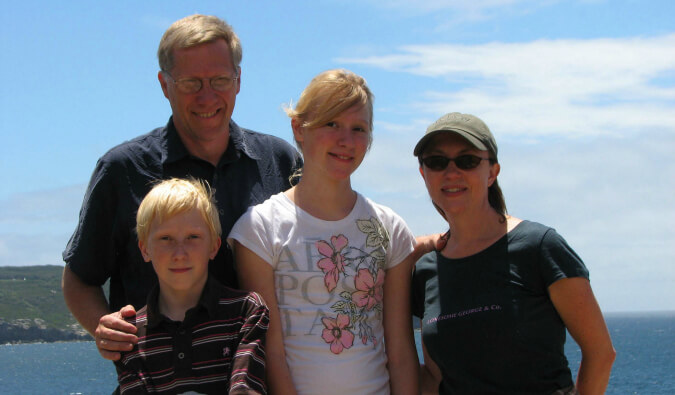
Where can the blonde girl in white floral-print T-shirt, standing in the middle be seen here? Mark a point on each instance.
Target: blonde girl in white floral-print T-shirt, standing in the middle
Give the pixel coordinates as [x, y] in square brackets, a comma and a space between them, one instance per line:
[332, 265]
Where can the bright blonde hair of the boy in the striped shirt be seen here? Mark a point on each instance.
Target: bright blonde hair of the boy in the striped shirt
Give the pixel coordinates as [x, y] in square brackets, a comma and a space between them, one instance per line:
[176, 196]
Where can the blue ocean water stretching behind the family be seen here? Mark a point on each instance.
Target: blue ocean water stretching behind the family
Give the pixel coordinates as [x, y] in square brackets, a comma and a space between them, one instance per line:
[645, 363]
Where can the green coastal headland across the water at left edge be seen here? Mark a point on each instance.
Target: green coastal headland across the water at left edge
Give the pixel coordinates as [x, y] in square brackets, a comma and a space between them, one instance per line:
[32, 308]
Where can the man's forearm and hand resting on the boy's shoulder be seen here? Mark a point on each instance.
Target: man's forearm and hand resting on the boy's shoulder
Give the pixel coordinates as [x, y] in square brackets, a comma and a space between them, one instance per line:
[89, 307]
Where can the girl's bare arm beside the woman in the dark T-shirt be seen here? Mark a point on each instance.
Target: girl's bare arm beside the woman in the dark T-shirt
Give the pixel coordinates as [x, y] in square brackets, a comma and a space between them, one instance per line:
[398, 334]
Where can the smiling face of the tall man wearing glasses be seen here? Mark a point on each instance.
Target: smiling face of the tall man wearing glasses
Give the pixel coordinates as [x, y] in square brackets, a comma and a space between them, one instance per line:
[201, 118]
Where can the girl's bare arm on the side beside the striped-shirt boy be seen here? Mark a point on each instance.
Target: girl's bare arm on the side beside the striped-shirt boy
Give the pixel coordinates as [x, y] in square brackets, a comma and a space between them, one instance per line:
[257, 275]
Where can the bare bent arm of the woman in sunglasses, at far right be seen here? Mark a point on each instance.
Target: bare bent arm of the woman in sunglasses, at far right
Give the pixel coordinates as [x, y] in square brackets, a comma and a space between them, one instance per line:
[576, 304]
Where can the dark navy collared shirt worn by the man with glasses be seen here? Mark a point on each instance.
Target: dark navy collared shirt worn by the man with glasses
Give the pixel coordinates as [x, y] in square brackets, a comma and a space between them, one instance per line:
[104, 245]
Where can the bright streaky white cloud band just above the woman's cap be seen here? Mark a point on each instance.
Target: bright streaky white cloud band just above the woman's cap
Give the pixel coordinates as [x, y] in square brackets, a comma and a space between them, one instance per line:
[547, 87]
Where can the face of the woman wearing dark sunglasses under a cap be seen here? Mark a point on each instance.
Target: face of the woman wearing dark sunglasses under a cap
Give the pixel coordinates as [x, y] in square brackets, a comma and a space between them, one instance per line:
[453, 189]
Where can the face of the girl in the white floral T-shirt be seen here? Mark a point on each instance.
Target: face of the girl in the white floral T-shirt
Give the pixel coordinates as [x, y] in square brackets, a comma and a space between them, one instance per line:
[335, 150]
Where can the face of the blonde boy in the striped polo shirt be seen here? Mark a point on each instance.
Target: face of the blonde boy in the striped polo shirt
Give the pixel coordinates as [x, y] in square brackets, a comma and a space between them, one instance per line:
[180, 249]
